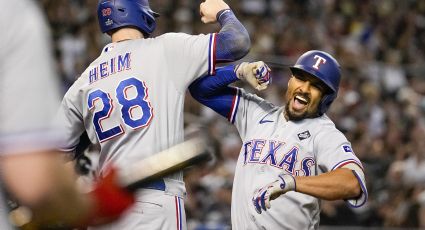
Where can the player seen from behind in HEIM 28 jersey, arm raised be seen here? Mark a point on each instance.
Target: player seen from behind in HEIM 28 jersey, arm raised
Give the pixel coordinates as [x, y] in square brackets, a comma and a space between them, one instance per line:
[130, 99]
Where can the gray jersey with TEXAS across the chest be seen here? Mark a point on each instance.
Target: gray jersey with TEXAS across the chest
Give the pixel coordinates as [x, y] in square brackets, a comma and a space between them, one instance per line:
[272, 146]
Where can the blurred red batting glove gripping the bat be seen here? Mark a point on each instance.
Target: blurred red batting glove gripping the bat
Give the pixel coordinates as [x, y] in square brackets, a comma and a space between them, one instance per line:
[110, 200]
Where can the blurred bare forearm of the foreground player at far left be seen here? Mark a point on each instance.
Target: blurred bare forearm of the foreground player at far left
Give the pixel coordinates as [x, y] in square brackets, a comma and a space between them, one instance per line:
[52, 187]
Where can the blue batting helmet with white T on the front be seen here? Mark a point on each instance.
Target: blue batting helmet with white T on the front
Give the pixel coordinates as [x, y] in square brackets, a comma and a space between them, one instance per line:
[323, 66]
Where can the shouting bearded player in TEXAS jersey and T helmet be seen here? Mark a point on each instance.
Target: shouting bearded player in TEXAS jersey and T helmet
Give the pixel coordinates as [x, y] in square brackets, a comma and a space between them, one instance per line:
[292, 156]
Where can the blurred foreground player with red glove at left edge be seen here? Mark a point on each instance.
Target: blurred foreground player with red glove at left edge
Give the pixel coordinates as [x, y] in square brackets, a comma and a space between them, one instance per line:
[31, 170]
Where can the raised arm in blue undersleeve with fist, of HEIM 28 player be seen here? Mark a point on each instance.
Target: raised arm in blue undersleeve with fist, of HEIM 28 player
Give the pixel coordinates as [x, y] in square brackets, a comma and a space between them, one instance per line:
[232, 42]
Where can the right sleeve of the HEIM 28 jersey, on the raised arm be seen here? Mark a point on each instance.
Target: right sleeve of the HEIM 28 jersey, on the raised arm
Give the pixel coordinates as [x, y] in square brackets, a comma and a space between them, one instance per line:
[189, 56]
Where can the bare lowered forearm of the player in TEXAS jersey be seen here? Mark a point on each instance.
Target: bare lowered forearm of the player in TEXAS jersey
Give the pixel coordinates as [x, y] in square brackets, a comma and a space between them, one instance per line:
[335, 185]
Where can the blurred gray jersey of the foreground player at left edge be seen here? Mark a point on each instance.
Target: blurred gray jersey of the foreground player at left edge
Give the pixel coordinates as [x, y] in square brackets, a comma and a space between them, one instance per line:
[29, 90]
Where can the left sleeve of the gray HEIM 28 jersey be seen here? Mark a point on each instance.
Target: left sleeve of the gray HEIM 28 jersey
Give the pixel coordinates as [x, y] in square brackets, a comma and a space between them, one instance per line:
[70, 121]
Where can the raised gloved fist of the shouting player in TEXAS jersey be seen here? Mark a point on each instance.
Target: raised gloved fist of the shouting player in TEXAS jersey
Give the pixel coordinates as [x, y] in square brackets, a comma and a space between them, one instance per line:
[257, 74]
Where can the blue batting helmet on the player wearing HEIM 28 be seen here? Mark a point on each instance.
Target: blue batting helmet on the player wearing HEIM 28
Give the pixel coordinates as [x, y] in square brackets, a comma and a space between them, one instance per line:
[114, 14]
